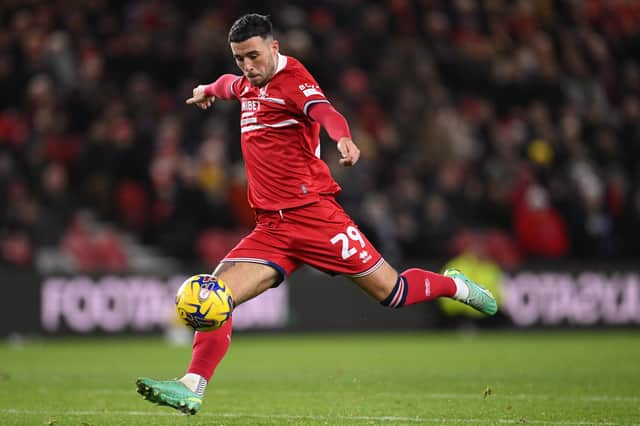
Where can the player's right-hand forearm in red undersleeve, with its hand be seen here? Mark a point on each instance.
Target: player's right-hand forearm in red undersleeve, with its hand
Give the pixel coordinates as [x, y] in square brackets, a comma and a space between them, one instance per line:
[336, 126]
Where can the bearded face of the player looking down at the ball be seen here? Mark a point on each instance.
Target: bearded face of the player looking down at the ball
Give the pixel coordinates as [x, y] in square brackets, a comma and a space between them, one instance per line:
[257, 58]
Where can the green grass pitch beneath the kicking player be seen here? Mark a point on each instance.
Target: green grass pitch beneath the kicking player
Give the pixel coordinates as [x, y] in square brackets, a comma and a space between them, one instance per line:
[554, 378]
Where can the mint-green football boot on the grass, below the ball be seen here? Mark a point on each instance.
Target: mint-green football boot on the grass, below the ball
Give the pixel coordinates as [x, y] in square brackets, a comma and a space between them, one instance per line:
[172, 393]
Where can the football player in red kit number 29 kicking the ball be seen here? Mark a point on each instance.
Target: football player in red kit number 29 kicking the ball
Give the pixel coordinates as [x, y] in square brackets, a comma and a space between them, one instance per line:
[298, 220]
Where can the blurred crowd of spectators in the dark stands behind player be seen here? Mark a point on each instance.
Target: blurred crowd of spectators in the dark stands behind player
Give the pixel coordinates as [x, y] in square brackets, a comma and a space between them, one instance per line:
[510, 126]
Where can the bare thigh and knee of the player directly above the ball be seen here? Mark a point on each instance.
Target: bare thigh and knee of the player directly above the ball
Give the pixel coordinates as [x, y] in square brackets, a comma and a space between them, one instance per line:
[246, 280]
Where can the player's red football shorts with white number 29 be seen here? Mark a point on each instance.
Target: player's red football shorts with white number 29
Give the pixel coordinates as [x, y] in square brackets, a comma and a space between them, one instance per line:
[320, 234]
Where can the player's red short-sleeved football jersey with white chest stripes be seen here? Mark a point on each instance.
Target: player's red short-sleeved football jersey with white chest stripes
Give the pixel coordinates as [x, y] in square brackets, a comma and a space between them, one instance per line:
[280, 142]
